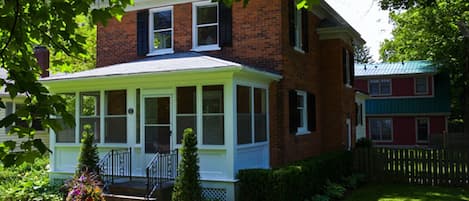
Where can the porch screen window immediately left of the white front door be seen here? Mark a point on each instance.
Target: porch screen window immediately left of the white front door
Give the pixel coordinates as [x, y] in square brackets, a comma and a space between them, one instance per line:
[116, 119]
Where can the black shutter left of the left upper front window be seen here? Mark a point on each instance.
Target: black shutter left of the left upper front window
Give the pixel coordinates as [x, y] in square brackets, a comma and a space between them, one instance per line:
[142, 33]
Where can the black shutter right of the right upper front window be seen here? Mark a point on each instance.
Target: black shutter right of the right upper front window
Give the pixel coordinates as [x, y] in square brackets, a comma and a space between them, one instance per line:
[226, 24]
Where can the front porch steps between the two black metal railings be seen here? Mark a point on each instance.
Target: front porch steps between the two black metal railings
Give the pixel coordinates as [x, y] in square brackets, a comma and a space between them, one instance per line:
[136, 190]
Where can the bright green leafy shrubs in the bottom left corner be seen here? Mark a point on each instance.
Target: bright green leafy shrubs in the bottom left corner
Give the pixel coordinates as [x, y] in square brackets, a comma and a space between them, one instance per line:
[28, 181]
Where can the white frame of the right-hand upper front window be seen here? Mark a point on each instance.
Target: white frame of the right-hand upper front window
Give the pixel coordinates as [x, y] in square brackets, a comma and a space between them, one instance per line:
[195, 27]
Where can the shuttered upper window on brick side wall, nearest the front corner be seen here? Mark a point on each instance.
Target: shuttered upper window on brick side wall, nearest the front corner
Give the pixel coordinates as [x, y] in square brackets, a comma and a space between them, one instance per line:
[298, 27]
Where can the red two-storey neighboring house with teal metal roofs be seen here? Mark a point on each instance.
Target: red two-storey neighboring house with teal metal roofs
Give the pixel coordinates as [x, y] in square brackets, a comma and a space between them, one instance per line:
[409, 101]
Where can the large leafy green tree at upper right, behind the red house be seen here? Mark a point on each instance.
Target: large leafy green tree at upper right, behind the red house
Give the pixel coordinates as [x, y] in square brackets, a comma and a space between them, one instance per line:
[431, 30]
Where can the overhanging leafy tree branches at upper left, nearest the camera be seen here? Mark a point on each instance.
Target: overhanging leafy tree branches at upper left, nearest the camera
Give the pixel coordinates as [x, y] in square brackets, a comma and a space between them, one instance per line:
[25, 24]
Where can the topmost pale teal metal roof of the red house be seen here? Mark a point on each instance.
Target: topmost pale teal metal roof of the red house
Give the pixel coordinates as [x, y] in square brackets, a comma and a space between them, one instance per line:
[399, 68]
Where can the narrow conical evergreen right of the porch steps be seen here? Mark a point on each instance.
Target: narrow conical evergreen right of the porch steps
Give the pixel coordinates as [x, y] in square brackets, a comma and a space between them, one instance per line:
[187, 186]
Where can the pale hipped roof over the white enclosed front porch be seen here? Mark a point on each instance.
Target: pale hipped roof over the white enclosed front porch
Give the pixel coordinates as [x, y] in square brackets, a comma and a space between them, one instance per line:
[188, 61]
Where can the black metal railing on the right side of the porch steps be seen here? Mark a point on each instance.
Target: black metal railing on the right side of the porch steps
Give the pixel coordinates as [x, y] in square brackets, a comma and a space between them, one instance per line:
[160, 170]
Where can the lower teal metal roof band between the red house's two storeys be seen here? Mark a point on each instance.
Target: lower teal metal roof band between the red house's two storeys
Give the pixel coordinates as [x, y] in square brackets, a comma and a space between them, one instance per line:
[440, 103]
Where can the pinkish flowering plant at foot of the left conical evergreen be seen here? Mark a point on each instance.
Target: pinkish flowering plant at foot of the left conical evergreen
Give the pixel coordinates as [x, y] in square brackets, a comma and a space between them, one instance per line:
[85, 187]
